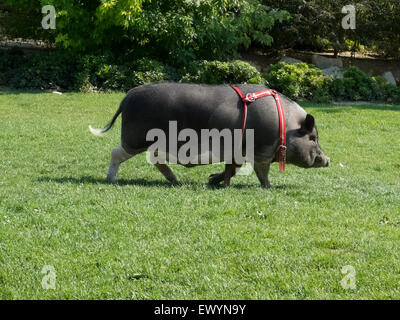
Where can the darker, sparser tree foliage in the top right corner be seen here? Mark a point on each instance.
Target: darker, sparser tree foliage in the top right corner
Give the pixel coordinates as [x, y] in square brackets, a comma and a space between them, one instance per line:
[317, 25]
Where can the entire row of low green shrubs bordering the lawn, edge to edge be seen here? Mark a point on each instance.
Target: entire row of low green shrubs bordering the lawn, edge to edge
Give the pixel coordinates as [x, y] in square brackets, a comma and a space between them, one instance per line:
[66, 71]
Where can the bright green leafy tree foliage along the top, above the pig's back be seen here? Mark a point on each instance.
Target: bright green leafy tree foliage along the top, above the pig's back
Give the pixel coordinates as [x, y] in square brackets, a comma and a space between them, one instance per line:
[179, 30]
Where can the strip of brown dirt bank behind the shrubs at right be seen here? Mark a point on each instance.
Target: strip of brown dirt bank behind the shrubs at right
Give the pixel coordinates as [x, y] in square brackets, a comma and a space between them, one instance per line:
[368, 63]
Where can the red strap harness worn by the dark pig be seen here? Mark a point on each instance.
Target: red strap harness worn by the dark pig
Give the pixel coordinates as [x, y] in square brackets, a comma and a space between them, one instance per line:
[251, 97]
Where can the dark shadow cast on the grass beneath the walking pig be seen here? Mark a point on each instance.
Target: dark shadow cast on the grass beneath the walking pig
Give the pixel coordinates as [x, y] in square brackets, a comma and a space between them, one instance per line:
[149, 183]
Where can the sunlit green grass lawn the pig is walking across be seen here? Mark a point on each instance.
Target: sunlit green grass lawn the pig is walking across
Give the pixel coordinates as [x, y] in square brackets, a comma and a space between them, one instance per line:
[147, 239]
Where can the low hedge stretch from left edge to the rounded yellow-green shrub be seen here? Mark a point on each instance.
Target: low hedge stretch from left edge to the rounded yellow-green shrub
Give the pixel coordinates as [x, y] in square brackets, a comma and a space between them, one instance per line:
[60, 70]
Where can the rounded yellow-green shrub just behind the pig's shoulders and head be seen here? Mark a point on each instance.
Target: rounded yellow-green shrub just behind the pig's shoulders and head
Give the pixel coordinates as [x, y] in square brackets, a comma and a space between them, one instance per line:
[299, 80]
